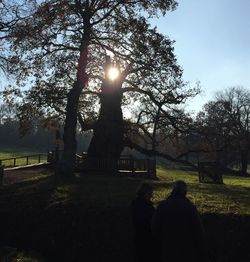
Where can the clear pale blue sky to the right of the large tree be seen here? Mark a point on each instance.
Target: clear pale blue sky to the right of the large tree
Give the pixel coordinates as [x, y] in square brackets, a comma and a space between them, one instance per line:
[212, 43]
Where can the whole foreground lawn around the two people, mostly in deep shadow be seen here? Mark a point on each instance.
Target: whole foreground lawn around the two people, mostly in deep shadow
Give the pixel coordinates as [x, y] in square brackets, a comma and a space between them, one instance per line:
[88, 218]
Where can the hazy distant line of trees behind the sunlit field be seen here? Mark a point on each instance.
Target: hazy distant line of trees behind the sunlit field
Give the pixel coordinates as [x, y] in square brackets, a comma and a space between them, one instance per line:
[220, 133]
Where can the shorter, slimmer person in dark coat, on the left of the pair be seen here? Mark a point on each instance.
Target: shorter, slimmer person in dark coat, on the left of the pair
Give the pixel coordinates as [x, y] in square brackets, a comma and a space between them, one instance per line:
[142, 212]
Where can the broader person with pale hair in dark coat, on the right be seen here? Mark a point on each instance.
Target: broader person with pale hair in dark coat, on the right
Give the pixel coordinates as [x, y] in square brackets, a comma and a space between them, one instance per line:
[177, 228]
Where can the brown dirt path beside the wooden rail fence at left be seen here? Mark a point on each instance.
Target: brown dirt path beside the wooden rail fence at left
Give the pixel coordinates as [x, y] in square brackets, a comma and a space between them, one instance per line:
[17, 175]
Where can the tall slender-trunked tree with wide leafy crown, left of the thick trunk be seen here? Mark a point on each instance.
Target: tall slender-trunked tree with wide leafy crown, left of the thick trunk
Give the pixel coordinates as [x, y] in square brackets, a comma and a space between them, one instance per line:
[58, 48]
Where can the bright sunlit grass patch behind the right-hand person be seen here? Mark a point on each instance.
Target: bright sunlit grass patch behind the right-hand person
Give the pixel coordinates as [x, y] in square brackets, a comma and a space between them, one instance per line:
[233, 197]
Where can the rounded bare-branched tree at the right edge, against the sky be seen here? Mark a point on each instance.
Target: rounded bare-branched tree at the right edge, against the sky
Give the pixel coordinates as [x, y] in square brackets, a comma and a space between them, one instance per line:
[225, 122]
